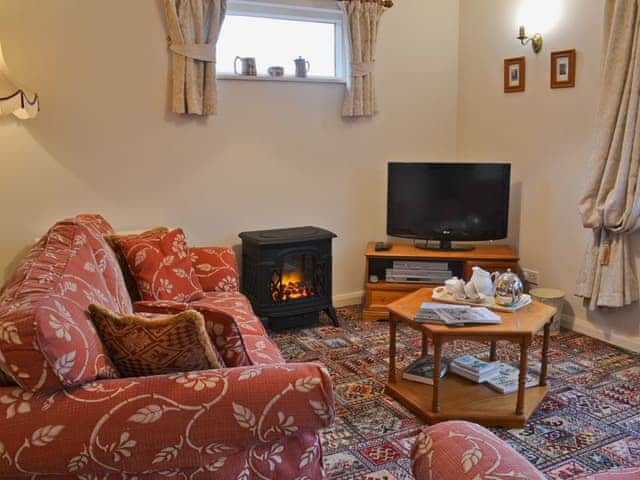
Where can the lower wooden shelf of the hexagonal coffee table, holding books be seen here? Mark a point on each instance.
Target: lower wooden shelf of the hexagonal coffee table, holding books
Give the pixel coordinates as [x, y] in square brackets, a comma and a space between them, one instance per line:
[461, 399]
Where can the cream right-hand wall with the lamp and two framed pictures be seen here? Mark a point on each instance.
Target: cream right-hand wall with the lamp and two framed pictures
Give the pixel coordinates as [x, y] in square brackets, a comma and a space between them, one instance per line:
[545, 133]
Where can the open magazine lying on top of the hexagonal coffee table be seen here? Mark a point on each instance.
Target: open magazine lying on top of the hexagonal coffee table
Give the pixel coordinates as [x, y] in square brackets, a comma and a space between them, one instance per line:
[455, 315]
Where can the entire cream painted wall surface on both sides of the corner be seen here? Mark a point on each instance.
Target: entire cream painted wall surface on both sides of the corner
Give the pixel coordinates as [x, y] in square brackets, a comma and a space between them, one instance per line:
[105, 141]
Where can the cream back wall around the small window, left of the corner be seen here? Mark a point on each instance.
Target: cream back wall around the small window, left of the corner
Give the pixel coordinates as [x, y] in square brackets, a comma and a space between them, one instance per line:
[278, 154]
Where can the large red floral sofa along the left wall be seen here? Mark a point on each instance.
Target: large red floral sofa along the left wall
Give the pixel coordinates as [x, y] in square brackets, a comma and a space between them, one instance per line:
[65, 414]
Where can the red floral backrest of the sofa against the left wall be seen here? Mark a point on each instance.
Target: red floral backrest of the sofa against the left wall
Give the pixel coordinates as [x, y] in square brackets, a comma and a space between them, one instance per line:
[46, 340]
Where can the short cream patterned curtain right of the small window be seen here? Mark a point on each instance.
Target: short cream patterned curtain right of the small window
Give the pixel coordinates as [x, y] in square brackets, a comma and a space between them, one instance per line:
[363, 19]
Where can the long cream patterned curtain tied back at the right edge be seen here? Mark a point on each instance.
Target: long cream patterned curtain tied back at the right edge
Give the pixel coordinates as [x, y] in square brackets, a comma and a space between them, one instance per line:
[610, 206]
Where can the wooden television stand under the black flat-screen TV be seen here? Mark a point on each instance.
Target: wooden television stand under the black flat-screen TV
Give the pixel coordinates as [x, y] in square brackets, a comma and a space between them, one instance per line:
[378, 295]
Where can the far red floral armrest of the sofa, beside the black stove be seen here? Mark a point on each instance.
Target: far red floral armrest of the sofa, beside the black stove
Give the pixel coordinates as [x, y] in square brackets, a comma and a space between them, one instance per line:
[216, 268]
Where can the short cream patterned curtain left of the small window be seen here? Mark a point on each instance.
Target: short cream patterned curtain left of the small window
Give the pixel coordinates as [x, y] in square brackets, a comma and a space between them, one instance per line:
[194, 26]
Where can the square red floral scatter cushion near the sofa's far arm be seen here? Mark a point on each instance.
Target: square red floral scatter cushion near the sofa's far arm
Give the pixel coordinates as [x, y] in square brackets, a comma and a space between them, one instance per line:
[162, 266]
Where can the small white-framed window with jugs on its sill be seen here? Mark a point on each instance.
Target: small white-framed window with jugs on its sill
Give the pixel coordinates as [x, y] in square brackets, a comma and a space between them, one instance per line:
[275, 35]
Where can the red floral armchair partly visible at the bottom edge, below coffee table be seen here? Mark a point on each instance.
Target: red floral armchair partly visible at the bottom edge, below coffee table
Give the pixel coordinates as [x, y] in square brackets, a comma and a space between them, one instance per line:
[466, 451]
